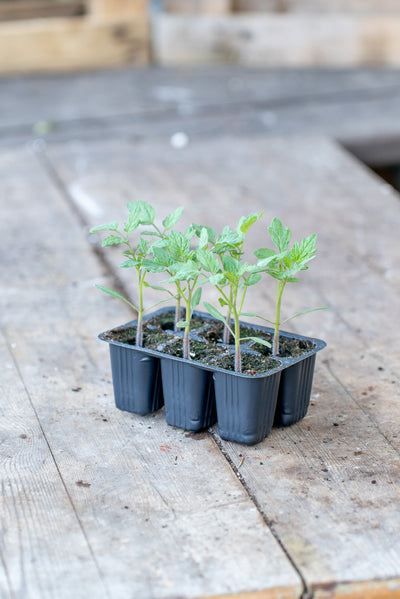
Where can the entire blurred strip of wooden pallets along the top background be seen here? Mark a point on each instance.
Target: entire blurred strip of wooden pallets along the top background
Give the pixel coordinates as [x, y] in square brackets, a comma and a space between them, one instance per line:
[45, 35]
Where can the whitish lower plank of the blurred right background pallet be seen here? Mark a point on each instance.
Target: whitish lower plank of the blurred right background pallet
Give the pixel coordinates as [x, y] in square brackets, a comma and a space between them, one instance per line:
[284, 39]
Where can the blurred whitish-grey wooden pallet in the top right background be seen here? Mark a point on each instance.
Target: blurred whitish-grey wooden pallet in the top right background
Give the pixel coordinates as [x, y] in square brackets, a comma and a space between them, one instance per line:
[278, 32]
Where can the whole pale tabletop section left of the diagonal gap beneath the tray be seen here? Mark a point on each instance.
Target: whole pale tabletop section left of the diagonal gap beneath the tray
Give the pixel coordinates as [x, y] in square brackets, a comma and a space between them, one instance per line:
[160, 512]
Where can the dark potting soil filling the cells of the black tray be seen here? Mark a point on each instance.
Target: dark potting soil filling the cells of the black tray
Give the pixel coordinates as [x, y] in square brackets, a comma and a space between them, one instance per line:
[158, 335]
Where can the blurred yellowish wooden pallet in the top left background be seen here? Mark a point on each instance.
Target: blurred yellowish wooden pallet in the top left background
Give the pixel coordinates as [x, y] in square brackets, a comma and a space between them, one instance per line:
[41, 37]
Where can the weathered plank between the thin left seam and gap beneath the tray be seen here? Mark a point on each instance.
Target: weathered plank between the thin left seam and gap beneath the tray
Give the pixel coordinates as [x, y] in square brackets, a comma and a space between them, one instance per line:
[162, 511]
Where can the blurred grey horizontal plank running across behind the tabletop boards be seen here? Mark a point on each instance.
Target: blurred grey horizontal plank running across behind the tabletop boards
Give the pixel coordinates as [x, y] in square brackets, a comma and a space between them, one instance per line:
[359, 107]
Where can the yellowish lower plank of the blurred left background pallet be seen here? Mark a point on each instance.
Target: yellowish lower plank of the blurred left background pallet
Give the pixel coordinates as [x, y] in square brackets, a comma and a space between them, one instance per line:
[61, 44]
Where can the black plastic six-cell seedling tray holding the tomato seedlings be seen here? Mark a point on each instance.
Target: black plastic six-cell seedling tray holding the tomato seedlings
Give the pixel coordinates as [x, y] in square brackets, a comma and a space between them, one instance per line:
[196, 394]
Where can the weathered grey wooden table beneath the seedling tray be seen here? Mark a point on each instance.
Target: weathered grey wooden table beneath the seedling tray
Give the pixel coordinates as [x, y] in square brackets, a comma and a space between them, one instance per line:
[101, 503]
